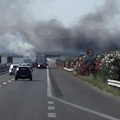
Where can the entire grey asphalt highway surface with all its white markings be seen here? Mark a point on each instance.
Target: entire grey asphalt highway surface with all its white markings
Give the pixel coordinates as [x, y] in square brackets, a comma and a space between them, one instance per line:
[54, 95]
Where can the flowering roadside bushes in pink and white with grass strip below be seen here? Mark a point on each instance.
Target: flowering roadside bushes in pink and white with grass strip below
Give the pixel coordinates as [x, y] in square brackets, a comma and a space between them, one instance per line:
[97, 71]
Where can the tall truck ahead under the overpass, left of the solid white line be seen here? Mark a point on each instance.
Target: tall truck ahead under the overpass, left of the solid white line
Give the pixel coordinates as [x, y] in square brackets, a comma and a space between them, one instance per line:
[41, 61]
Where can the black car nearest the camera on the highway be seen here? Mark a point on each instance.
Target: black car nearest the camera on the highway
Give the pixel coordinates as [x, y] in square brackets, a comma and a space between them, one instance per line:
[23, 72]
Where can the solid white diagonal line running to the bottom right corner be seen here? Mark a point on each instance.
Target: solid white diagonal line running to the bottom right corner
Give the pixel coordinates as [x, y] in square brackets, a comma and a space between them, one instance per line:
[86, 109]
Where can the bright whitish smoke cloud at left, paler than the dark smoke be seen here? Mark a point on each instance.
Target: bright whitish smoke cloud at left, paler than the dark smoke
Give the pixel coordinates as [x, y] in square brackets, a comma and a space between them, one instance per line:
[16, 44]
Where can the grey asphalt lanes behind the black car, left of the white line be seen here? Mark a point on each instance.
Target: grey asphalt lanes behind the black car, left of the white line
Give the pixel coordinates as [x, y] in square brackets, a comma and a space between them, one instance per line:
[24, 99]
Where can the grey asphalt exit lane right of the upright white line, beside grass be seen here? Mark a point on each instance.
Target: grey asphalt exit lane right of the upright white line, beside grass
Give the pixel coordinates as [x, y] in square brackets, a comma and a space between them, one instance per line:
[79, 100]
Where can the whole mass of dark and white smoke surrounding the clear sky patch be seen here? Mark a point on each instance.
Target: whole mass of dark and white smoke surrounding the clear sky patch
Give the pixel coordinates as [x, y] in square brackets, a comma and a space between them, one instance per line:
[20, 30]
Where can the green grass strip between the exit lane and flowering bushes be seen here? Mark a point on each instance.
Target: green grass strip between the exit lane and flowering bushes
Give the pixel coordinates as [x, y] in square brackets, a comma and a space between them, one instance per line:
[98, 82]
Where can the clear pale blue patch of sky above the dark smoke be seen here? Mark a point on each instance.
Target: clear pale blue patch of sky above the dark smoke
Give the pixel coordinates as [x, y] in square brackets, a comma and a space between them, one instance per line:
[68, 12]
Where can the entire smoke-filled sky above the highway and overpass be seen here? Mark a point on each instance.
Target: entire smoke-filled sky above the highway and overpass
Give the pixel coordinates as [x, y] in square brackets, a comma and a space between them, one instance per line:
[27, 26]
